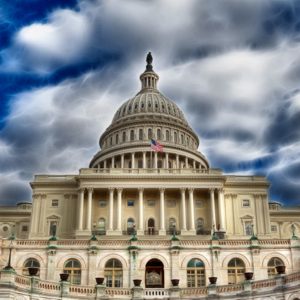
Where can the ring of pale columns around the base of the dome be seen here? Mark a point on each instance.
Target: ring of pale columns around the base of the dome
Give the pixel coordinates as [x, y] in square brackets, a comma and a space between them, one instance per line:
[154, 161]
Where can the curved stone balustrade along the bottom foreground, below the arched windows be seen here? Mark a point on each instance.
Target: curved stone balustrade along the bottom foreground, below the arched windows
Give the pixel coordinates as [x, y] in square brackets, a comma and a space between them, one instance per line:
[19, 284]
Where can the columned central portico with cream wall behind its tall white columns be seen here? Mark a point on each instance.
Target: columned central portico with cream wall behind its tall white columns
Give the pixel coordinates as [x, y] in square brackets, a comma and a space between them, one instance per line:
[170, 208]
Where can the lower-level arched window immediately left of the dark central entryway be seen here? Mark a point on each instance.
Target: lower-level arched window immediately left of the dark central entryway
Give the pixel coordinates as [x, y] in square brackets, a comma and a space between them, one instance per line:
[113, 273]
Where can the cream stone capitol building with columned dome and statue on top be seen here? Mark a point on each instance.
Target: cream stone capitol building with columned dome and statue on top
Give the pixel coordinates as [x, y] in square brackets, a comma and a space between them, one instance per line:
[149, 219]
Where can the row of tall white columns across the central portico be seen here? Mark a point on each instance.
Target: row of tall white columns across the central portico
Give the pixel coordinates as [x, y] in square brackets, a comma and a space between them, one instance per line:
[162, 229]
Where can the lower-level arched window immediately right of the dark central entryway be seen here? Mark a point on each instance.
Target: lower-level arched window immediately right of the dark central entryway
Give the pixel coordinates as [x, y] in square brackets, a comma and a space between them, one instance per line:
[195, 273]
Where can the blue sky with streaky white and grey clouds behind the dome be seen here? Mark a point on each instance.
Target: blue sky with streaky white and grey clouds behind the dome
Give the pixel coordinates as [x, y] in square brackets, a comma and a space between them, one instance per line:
[232, 66]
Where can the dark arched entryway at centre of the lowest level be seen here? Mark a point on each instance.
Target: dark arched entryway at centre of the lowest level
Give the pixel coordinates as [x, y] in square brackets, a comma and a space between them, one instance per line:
[154, 274]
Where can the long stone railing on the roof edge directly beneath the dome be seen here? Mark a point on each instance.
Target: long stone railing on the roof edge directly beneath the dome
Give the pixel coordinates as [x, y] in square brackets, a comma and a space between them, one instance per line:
[87, 171]
